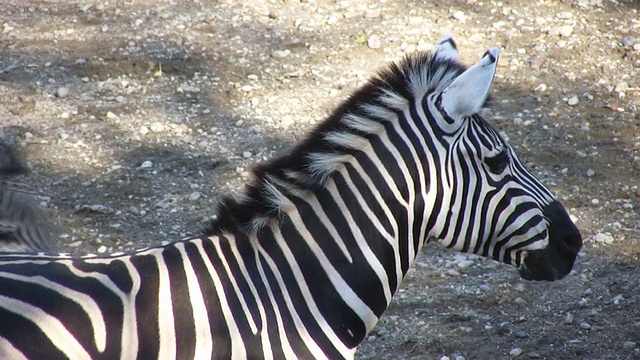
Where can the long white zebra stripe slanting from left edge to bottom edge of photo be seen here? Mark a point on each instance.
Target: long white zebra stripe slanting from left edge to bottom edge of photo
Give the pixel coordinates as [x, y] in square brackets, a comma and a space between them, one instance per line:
[50, 326]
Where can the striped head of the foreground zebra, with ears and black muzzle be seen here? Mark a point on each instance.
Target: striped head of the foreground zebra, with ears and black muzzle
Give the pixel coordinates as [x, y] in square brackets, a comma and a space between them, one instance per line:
[496, 207]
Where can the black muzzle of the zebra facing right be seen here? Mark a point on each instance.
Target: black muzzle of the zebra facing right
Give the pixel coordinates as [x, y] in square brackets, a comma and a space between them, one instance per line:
[555, 261]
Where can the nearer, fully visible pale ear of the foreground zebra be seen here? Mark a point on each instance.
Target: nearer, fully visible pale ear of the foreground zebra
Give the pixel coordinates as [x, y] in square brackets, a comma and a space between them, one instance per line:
[468, 92]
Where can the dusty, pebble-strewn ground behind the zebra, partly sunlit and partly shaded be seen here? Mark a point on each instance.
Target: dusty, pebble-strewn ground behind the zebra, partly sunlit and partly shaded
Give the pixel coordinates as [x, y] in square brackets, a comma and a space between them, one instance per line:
[135, 116]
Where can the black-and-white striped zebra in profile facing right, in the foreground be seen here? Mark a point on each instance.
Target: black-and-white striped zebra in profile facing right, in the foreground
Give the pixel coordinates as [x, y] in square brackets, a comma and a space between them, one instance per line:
[303, 264]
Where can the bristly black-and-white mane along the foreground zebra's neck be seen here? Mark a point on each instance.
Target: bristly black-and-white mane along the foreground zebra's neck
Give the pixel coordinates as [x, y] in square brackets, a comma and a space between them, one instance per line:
[307, 166]
